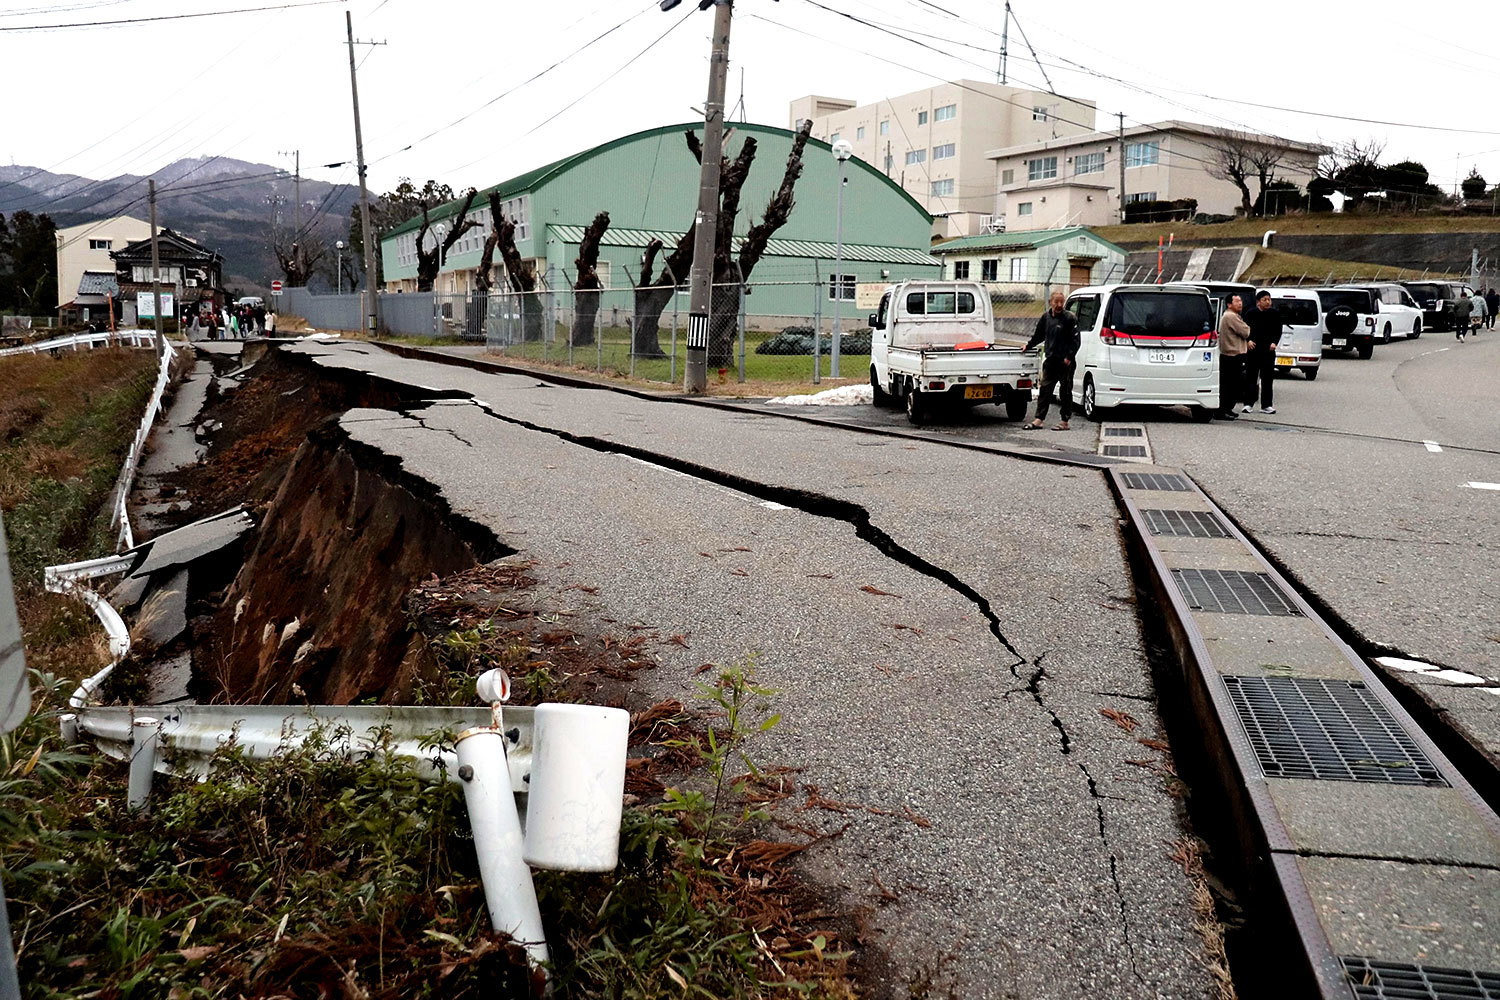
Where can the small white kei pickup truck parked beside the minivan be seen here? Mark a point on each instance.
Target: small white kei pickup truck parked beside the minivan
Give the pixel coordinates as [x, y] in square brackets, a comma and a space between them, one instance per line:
[934, 344]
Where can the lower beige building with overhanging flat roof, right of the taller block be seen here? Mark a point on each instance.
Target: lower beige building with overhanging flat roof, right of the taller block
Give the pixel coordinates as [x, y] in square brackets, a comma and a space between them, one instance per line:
[1075, 181]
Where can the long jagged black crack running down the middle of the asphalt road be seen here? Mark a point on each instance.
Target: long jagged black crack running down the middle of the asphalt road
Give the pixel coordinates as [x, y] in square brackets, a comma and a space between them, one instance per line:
[859, 518]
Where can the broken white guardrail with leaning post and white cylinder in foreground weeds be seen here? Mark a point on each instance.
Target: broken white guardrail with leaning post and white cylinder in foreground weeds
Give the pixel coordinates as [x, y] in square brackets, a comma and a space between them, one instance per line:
[568, 759]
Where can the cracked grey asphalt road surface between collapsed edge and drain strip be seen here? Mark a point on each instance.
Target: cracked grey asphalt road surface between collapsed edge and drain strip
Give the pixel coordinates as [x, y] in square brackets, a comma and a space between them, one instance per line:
[962, 699]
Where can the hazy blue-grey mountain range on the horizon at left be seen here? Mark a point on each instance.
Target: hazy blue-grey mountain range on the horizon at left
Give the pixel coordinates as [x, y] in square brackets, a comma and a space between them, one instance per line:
[227, 205]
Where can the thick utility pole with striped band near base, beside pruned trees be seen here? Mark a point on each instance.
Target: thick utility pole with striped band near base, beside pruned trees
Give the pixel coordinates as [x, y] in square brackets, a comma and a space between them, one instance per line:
[707, 220]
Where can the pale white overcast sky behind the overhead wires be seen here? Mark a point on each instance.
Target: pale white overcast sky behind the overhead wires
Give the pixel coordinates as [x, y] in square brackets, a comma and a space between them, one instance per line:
[254, 85]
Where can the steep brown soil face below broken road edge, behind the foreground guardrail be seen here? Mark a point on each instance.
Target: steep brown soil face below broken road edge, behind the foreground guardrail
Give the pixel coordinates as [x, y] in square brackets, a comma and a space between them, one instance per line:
[317, 611]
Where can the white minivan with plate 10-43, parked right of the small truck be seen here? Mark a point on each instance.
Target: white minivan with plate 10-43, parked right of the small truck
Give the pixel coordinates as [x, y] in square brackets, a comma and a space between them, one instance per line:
[1145, 346]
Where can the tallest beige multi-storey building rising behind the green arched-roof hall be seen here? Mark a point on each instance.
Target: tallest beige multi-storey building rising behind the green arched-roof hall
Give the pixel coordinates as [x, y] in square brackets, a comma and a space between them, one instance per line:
[935, 143]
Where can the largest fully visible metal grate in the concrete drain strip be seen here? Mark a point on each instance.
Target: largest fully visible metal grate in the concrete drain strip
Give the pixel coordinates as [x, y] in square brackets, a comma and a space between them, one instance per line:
[1331, 731]
